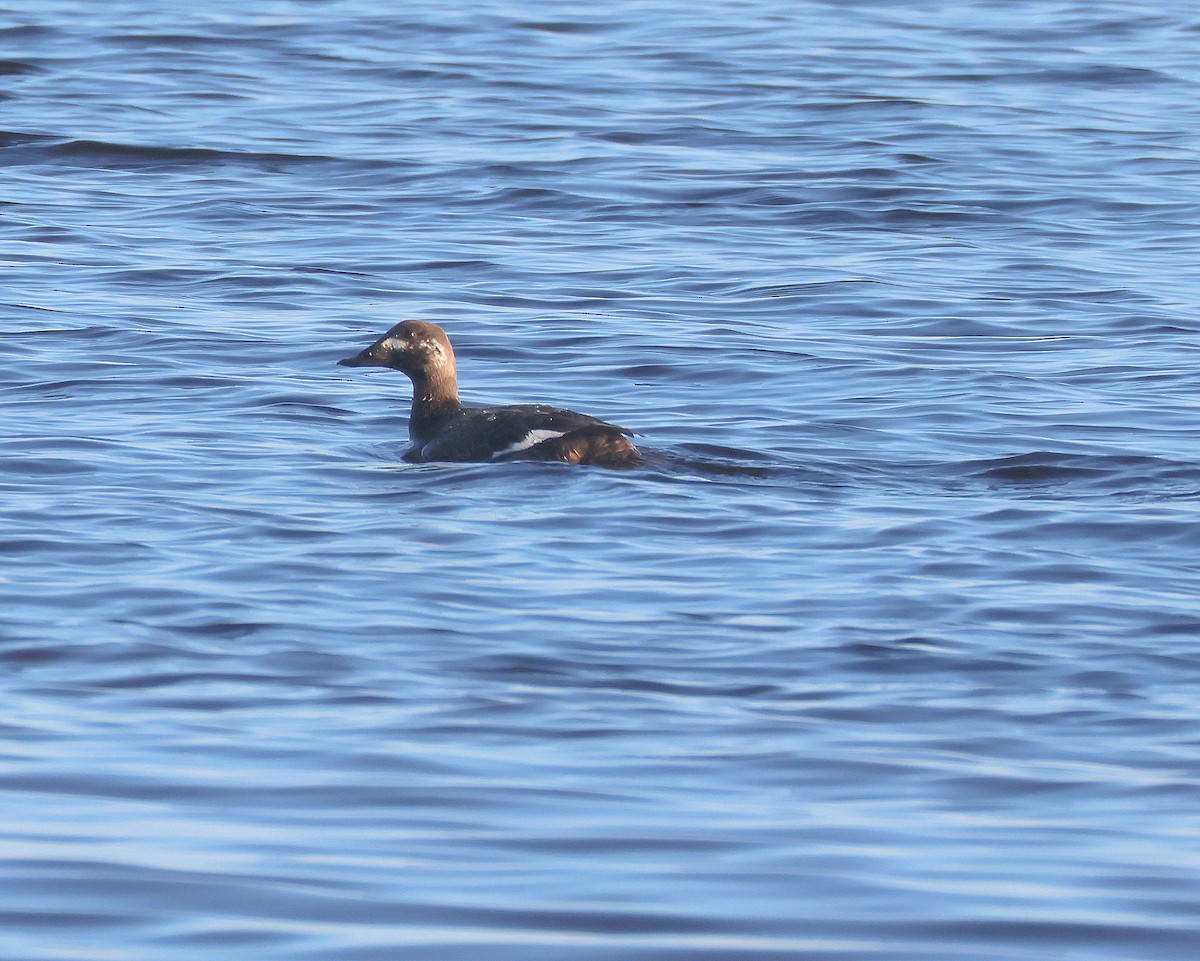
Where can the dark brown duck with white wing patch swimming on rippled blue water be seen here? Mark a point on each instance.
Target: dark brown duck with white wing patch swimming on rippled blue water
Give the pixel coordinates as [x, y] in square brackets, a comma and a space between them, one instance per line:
[443, 430]
